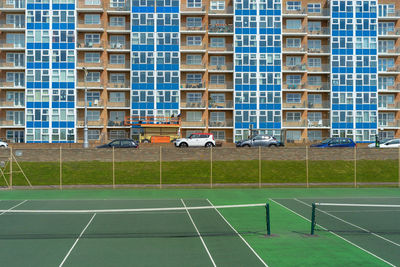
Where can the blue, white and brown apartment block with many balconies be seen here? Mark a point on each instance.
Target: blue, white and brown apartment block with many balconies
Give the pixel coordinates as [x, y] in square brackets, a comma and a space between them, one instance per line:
[305, 69]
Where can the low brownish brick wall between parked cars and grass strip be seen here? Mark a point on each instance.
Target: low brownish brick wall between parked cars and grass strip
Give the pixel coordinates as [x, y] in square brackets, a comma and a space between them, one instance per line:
[191, 154]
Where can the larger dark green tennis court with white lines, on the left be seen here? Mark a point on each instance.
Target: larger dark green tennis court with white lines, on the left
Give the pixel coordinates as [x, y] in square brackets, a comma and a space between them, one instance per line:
[122, 232]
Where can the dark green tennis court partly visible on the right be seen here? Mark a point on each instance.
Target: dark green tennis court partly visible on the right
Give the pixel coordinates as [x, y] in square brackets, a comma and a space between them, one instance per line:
[369, 223]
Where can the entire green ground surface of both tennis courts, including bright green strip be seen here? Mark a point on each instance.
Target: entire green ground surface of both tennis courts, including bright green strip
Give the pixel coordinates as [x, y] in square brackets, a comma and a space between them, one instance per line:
[111, 232]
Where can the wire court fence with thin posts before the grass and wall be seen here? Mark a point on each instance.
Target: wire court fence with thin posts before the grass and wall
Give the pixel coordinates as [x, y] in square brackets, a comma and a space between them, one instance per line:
[169, 167]
